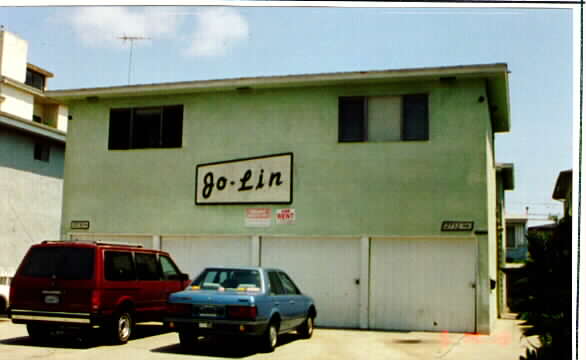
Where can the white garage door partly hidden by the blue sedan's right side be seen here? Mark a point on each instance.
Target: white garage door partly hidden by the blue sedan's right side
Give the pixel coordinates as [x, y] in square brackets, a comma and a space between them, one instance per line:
[325, 269]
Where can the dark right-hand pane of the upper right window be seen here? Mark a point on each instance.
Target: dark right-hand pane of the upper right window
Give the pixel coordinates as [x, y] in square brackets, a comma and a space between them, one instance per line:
[415, 117]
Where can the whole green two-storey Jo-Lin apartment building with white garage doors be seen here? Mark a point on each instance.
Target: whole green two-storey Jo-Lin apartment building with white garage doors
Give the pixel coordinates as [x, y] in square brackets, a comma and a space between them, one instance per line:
[377, 191]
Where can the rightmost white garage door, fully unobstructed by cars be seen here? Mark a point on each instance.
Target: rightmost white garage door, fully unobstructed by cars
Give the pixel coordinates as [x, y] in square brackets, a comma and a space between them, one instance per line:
[419, 284]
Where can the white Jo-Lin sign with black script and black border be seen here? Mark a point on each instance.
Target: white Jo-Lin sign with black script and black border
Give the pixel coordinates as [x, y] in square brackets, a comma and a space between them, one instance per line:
[259, 180]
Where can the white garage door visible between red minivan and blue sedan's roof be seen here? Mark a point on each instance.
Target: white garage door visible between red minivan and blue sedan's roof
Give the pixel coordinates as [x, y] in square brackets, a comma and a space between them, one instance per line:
[193, 254]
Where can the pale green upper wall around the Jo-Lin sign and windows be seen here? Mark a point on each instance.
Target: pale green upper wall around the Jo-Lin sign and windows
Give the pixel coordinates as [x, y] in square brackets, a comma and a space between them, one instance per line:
[400, 188]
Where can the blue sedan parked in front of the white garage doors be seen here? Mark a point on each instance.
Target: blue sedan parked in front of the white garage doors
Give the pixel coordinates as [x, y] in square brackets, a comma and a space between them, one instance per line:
[250, 301]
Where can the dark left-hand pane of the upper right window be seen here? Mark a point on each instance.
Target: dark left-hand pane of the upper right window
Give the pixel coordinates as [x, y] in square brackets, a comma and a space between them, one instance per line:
[351, 125]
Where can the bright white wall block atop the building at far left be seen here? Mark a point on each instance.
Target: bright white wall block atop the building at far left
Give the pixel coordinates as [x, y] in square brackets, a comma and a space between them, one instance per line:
[13, 55]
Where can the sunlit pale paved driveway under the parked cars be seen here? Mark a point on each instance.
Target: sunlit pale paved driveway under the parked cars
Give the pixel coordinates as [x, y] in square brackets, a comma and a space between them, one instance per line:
[152, 343]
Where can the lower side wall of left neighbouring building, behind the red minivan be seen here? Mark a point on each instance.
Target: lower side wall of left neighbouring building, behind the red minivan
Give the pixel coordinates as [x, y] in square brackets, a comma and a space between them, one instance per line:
[31, 192]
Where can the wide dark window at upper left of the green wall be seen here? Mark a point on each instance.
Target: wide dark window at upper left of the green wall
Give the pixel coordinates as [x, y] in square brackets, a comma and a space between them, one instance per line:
[141, 128]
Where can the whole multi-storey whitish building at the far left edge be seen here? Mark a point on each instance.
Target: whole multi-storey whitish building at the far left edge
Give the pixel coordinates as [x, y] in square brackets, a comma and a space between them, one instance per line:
[32, 150]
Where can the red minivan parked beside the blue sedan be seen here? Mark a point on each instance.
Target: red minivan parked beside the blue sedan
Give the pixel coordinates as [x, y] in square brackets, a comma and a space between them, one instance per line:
[81, 286]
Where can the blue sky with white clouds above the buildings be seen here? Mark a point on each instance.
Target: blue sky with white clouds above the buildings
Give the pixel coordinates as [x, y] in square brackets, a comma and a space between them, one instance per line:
[82, 47]
